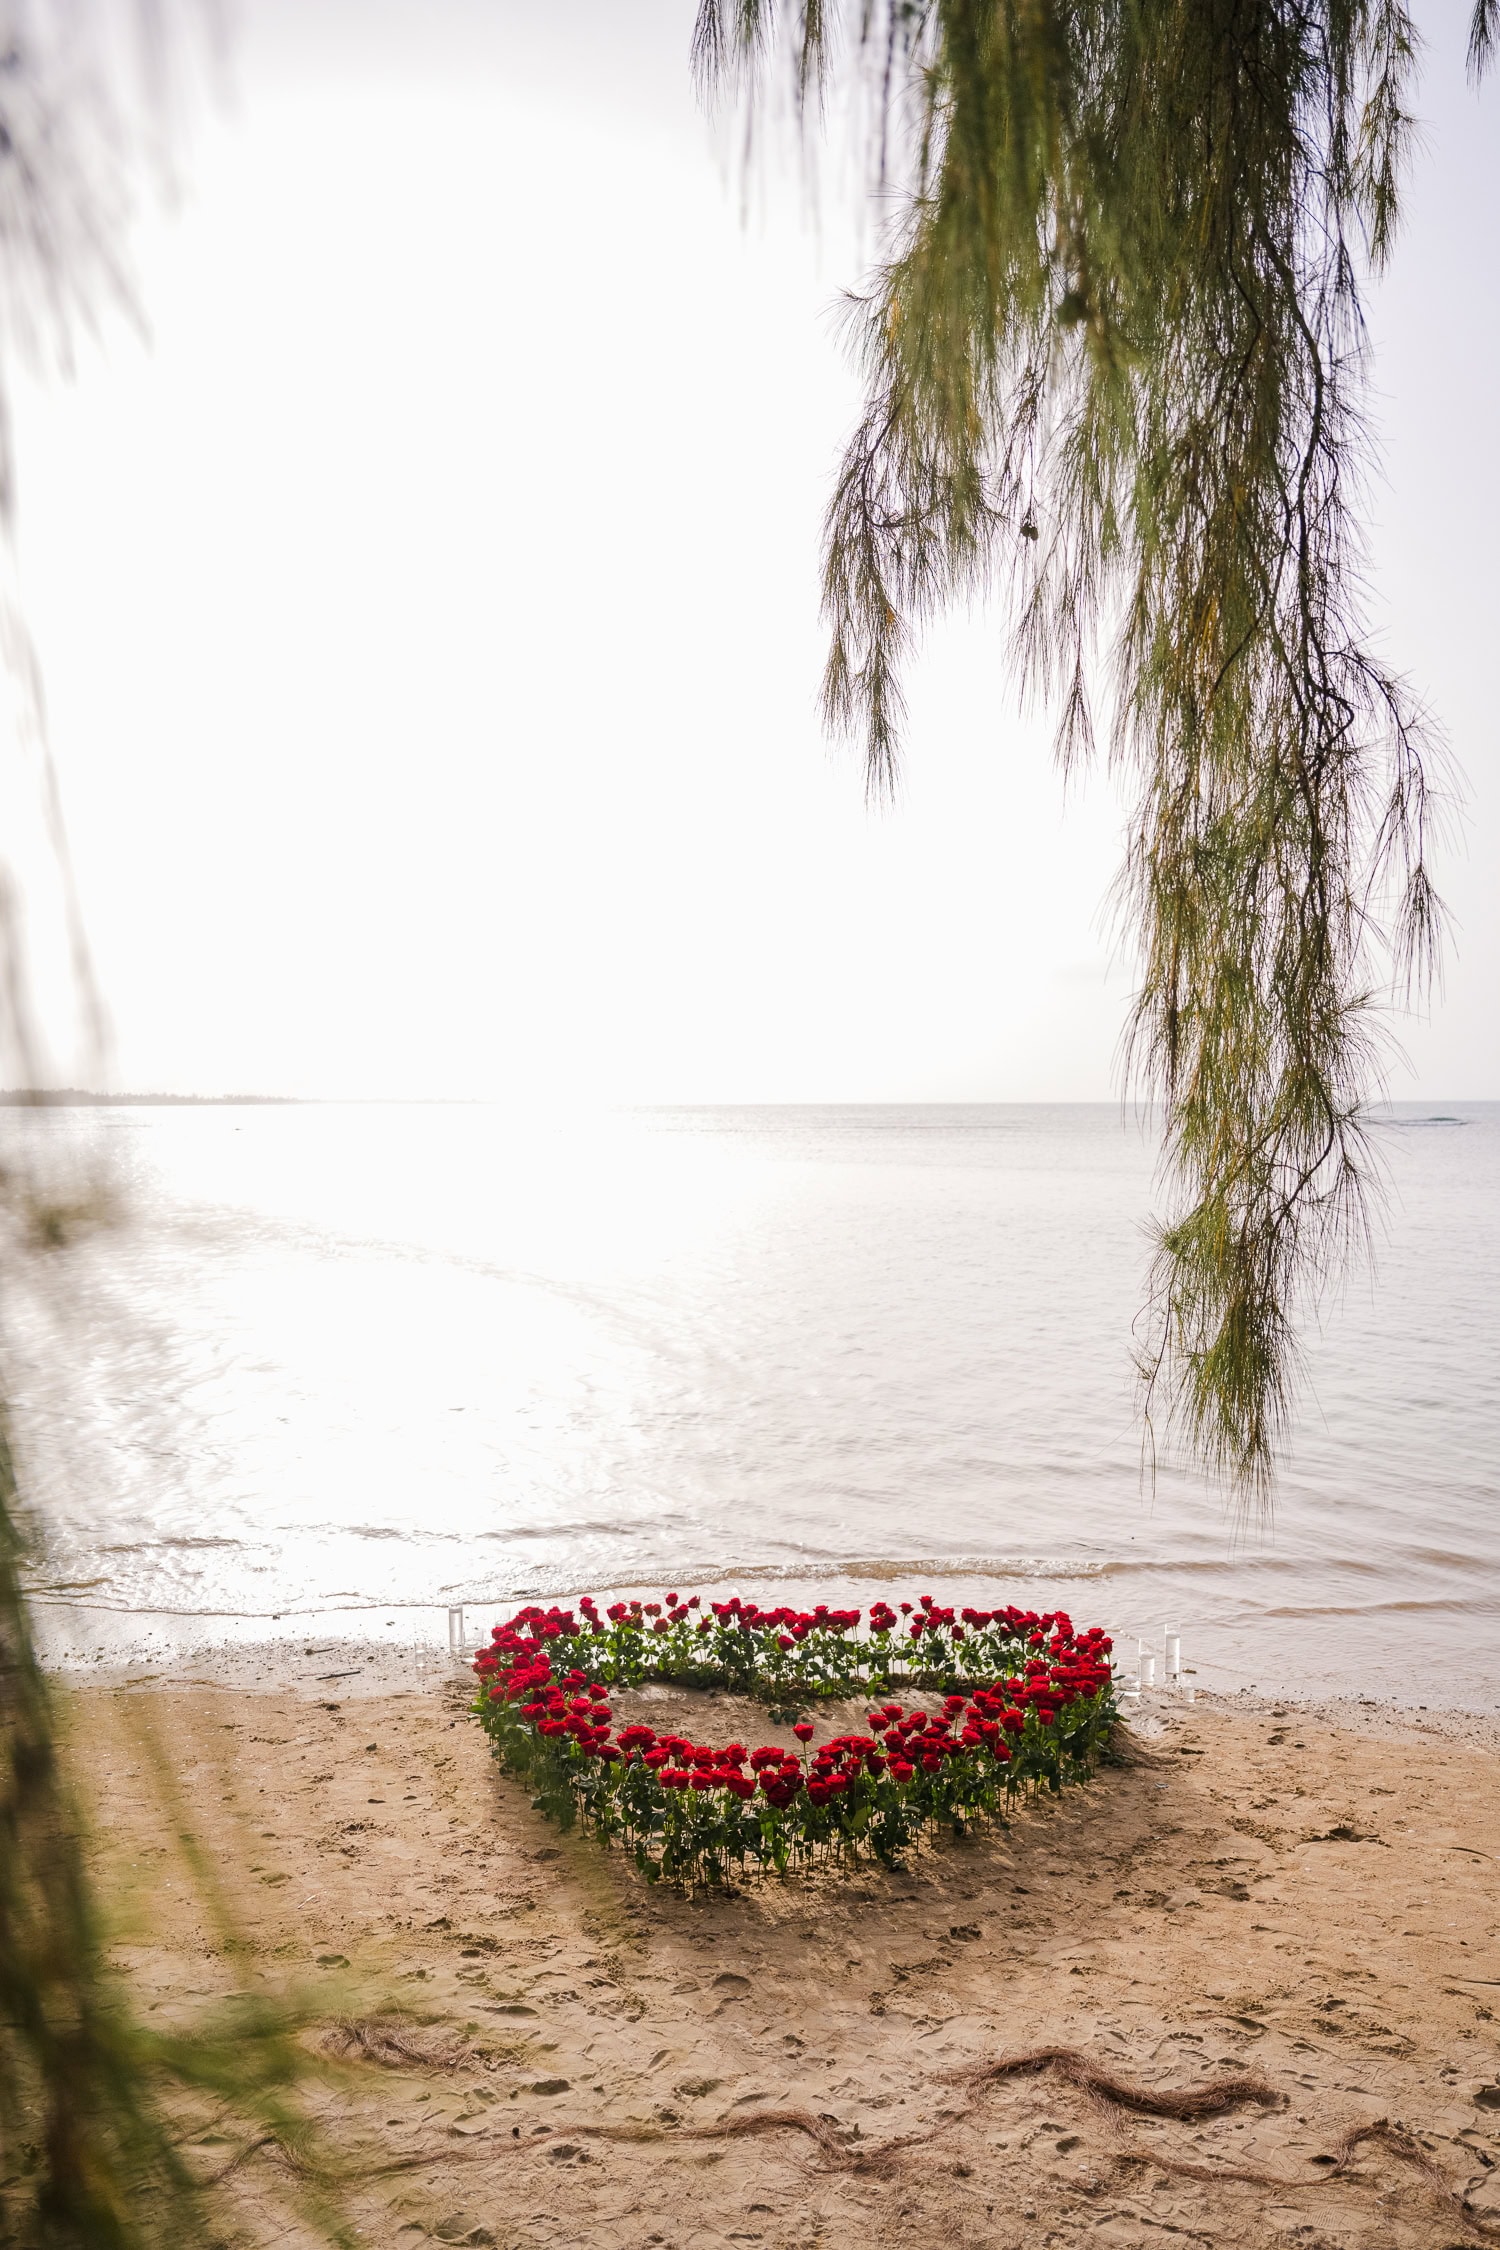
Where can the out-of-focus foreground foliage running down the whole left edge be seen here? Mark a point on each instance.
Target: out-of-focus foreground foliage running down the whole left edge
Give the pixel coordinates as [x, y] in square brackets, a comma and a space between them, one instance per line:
[93, 2103]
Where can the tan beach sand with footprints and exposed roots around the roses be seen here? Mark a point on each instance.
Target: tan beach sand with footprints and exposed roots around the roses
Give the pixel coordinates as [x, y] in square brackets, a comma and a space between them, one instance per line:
[1308, 1896]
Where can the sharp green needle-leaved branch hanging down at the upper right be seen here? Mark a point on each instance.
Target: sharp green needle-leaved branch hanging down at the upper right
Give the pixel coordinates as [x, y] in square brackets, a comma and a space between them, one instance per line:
[1114, 368]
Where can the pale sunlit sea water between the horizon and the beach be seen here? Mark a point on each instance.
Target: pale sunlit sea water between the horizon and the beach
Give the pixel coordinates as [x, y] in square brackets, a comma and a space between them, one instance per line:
[343, 1367]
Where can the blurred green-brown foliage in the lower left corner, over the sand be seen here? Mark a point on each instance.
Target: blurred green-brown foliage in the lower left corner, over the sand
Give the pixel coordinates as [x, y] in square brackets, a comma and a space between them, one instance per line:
[93, 2103]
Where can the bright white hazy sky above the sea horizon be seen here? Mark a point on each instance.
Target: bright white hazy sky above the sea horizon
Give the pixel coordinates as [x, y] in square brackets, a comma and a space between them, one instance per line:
[431, 629]
